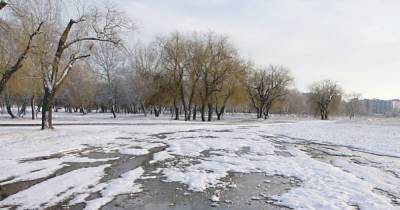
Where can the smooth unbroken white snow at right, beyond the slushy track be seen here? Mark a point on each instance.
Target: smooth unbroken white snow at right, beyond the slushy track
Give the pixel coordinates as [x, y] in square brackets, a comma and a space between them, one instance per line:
[377, 138]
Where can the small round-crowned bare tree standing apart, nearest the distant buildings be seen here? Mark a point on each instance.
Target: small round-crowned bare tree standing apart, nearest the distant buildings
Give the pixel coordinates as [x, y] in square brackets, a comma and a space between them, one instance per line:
[325, 96]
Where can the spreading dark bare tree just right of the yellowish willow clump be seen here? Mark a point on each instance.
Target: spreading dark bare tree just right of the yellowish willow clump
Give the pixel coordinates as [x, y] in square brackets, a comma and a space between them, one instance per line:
[265, 86]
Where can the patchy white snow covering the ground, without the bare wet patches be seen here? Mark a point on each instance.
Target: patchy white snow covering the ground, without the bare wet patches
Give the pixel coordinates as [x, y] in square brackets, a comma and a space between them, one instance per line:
[200, 155]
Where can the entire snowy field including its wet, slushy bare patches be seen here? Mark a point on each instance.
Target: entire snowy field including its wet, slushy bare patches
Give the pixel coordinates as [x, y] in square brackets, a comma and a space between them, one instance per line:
[144, 163]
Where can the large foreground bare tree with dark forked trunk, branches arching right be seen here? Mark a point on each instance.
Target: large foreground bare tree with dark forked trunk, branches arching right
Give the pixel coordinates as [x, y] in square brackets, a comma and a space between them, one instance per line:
[75, 43]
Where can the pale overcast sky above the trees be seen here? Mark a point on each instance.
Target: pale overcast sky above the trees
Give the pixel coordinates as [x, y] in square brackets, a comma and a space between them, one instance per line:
[354, 42]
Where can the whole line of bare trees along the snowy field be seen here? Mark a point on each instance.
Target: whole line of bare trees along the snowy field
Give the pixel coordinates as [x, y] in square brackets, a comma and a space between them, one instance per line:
[51, 61]
